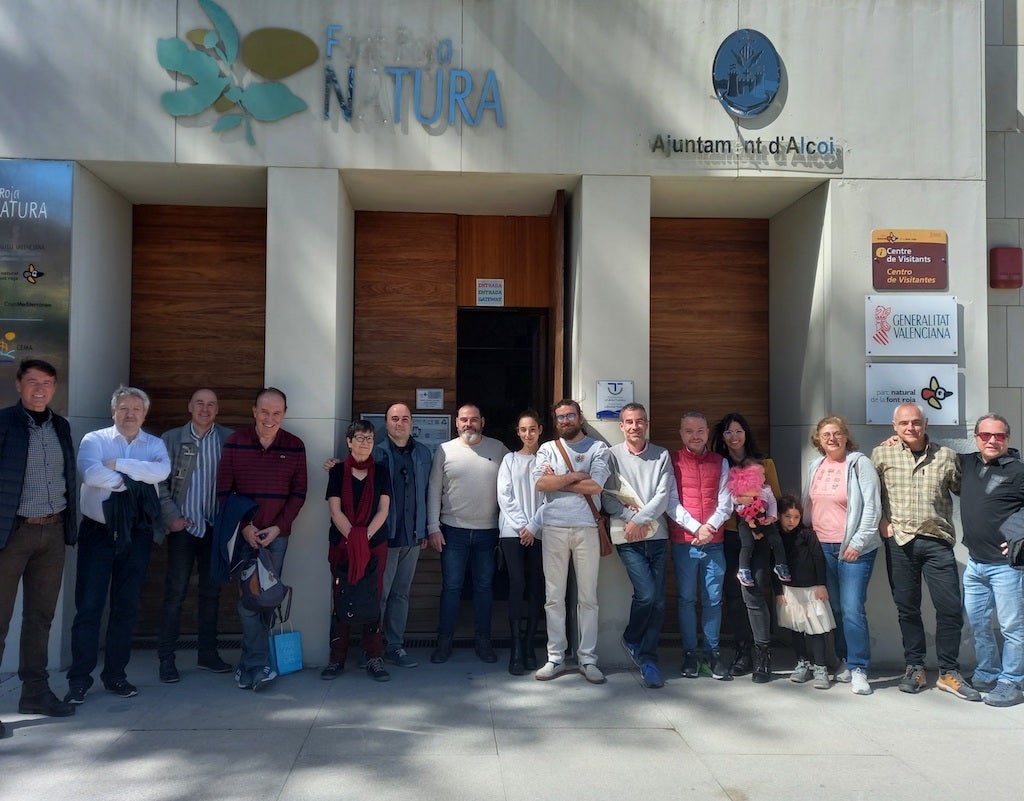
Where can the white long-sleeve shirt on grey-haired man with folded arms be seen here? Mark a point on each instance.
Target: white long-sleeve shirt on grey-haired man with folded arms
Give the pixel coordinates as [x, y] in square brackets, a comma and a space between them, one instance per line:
[144, 459]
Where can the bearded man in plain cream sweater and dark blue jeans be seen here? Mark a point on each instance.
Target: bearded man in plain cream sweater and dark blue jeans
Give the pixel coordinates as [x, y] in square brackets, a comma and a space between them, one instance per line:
[462, 522]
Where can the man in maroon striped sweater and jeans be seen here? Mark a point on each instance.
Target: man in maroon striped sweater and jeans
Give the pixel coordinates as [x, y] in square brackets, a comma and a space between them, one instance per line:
[268, 465]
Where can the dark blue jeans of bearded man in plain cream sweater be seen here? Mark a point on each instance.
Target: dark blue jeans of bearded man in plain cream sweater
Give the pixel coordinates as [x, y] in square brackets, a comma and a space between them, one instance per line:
[464, 547]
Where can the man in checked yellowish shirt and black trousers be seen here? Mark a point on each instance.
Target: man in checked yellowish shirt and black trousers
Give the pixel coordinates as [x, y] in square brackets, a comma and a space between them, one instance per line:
[918, 478]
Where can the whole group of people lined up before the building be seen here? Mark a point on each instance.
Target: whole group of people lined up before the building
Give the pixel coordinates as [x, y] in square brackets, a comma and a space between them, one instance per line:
[736, 540]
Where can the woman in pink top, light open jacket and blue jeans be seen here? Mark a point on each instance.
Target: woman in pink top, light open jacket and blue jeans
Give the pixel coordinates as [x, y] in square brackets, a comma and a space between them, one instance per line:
[843, 505]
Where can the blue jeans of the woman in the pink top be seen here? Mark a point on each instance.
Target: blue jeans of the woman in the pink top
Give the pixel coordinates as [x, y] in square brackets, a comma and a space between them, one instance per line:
[847, 584]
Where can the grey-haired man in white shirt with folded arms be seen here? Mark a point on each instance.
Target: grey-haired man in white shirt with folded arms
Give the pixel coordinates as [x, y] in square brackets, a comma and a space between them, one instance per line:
[121, 468]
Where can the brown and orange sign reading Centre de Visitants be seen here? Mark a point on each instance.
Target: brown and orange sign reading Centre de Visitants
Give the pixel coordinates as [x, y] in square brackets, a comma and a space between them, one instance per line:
[910, 260]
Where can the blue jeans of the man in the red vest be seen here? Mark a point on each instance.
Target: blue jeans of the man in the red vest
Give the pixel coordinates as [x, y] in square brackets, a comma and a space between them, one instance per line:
[704, 568]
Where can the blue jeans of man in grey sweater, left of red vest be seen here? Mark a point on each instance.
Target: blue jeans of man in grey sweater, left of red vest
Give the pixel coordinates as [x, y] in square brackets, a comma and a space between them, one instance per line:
[645, 562]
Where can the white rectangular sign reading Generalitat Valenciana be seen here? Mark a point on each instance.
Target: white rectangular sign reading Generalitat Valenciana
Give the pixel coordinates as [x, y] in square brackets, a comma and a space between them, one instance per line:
[913, 324]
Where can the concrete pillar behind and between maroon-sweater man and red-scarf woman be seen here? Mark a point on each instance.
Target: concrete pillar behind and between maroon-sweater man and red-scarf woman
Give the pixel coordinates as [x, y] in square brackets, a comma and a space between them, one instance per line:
[310, 276]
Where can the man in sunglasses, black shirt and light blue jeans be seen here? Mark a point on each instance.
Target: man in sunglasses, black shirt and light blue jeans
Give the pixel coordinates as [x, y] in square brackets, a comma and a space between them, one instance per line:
[993, 490]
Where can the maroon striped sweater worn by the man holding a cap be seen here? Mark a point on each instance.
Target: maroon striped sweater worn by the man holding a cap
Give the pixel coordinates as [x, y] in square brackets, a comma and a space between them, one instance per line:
[275, 478]
